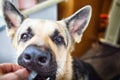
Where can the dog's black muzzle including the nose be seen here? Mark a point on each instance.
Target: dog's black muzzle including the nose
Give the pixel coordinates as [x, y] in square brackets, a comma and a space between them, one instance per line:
[35, 59]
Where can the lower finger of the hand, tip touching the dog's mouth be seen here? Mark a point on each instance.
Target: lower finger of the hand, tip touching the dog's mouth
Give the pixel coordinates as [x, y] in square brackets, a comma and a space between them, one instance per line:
[21, 74]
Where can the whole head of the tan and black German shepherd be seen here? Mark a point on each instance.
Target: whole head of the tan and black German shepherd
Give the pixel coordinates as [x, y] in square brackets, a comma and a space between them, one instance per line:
[45, 45]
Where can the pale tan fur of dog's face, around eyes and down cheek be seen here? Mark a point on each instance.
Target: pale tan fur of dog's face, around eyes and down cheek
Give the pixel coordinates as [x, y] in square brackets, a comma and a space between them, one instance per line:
[42, 29]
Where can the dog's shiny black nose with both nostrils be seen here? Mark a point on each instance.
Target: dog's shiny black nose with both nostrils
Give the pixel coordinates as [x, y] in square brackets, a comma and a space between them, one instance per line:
[34, 55]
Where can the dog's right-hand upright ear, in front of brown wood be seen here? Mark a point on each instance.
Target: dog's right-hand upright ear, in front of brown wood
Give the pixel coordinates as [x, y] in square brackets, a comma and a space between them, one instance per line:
[78, 22]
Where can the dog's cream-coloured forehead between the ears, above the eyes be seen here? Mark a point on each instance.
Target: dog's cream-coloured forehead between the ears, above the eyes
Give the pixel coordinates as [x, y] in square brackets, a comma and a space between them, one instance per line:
[40, 26]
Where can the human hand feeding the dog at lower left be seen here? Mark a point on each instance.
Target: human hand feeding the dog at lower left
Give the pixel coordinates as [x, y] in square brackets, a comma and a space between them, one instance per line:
[9, 71]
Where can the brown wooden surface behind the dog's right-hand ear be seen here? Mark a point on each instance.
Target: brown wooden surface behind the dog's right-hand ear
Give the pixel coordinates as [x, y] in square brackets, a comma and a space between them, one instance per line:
[67, 8]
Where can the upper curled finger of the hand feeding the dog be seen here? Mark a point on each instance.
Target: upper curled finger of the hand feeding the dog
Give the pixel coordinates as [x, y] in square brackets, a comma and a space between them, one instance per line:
[9, 67]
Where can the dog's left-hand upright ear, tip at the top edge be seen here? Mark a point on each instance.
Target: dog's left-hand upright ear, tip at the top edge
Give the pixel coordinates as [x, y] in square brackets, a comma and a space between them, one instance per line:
[12, 17]
